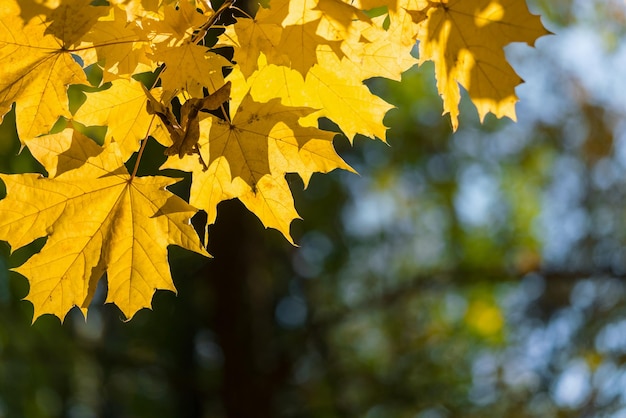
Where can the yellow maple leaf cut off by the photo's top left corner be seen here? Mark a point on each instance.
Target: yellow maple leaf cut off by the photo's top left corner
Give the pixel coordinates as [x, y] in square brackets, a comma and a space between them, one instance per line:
[35, 72]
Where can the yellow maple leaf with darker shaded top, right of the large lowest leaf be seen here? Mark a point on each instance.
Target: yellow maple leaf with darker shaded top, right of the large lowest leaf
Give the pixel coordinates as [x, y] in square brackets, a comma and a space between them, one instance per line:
[249, 157]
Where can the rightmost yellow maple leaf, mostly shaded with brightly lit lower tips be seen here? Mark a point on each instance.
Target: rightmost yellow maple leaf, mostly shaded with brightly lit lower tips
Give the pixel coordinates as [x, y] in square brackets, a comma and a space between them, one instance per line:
[465, 39]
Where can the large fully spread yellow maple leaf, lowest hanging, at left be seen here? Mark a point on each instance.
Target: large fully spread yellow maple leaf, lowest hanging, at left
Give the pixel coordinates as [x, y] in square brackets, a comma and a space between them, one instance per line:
[97, 219]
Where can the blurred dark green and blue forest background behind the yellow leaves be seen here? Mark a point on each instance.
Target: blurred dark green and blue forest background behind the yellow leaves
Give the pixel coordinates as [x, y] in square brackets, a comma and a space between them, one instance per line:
[475, 274]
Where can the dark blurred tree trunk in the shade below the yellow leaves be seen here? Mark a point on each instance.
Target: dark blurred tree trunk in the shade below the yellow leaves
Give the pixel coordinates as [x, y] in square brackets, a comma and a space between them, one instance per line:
[243, 313]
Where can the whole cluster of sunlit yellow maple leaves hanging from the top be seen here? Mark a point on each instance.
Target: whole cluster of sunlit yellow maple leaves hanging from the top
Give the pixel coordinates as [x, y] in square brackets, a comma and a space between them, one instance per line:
[238, 112]
